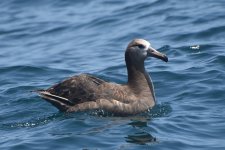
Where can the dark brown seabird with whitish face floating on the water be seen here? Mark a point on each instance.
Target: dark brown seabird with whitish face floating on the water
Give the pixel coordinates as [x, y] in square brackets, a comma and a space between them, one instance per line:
[86, 92]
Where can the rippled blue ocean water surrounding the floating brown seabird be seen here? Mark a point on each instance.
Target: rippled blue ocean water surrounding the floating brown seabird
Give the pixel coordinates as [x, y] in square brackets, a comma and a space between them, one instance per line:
[45, 41]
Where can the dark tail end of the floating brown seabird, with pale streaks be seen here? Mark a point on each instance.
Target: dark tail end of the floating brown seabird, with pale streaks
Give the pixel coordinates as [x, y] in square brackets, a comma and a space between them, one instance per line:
[59, 102]
